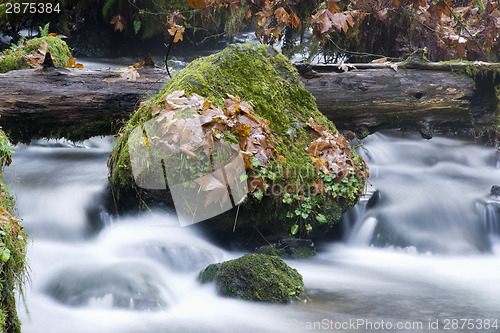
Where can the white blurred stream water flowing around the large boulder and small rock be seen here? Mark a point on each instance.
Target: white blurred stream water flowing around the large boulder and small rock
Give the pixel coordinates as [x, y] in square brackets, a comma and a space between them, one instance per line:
[421, 247]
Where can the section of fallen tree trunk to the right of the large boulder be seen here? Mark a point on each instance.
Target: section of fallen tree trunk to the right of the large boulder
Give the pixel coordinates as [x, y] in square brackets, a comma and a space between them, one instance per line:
[369, 97]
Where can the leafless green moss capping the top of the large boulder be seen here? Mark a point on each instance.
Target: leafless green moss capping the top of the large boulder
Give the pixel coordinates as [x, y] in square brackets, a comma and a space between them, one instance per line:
[269, 83]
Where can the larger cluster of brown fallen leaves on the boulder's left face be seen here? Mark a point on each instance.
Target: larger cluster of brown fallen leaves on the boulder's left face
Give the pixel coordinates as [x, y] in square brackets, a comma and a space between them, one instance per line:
[235, 124]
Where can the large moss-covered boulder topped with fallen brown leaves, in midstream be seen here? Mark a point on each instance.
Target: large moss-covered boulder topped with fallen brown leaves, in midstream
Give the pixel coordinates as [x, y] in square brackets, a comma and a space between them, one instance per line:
[297, 172]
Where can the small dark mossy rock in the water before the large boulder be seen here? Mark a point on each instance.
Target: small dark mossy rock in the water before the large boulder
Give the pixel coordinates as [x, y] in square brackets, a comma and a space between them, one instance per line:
[255, 277]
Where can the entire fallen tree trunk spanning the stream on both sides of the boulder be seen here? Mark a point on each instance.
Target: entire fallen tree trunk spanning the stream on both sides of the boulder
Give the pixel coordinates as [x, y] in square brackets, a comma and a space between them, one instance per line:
[77, 104]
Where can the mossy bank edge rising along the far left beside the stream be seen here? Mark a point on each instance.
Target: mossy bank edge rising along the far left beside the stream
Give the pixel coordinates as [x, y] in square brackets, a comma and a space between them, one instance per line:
[12, 250]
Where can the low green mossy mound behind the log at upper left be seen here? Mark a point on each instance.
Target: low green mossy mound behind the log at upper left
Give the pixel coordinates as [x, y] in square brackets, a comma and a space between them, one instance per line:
[32, 52]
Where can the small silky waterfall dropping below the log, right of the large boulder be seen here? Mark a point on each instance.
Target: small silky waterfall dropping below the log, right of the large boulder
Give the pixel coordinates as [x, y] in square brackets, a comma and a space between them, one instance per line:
[425, 195]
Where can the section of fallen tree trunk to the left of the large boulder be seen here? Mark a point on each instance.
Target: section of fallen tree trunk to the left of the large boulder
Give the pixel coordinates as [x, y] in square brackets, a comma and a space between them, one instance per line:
[72, 103]
